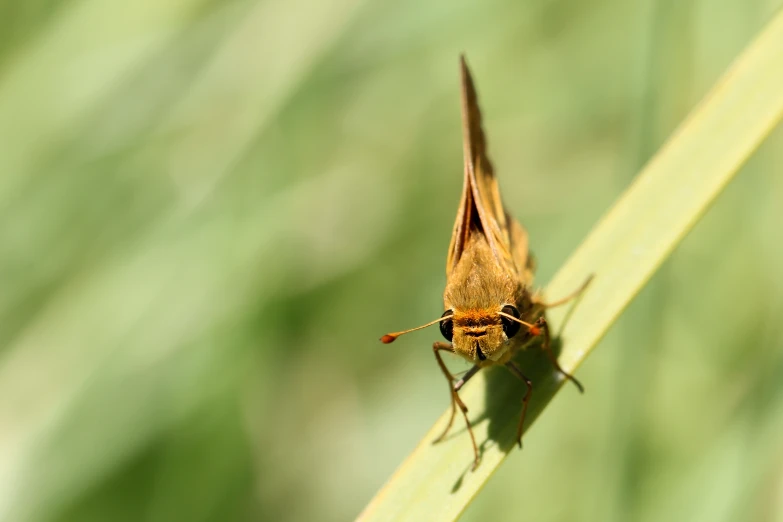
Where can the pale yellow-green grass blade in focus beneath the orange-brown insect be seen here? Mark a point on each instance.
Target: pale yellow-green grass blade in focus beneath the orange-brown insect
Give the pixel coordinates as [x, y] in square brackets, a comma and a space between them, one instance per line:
[623, 251]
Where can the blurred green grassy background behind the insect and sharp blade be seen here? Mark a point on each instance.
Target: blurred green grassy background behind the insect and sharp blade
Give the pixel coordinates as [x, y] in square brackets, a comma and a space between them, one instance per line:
[210, 211]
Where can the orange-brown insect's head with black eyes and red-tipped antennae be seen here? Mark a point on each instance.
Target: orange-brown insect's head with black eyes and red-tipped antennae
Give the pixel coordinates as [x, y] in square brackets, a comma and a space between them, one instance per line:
[479, 336]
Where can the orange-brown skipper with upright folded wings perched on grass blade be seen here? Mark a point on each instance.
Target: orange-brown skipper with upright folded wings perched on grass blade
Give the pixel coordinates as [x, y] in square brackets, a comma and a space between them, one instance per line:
[491, 310]
